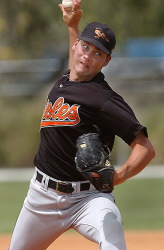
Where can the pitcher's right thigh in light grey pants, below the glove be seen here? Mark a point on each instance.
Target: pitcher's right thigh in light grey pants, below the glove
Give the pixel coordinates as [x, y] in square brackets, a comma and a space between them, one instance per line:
[101, 222]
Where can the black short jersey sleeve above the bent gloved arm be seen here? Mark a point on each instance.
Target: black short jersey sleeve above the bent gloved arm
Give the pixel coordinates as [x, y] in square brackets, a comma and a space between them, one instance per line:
[120, 118]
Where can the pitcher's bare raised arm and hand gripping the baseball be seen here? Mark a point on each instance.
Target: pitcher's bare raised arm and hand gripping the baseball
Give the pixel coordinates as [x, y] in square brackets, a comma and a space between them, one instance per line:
[72, 19]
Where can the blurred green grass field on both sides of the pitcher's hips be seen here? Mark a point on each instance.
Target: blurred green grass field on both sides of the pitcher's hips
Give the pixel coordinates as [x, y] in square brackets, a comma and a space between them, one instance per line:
[140, 201]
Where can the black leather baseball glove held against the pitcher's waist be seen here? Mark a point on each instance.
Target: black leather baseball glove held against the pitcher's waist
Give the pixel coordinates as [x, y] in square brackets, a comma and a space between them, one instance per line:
[93, 162]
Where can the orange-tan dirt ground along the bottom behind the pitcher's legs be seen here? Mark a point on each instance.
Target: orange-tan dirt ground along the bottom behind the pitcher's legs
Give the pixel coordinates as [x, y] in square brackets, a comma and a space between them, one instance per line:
[136, 240]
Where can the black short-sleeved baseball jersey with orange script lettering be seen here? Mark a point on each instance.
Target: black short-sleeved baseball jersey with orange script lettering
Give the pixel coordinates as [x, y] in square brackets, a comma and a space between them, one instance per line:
[75, 108]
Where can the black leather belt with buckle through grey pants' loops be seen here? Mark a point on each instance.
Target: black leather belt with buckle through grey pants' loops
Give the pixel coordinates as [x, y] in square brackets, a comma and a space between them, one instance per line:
[63, 187]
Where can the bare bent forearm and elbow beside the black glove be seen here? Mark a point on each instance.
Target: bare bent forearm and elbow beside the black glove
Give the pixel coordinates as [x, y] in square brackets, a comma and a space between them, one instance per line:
[142, 153]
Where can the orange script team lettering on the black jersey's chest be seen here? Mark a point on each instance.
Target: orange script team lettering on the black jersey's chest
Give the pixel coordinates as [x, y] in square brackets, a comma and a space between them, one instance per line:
[60, 114]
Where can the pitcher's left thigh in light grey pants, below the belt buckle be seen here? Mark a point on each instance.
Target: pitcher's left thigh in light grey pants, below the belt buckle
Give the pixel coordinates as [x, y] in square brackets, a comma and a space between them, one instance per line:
[38, 225]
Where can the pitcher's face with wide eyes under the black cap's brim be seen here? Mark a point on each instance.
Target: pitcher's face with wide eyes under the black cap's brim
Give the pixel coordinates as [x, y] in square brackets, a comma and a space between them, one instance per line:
[88, 60]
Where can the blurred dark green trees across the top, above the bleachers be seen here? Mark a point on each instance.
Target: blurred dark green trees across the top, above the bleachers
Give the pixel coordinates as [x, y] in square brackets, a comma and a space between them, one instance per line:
[32, 29]
